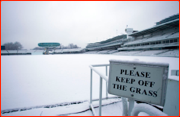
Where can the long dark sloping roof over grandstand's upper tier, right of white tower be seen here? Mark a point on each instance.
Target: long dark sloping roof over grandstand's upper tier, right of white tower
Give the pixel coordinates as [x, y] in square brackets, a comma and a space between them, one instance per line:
[174, 23]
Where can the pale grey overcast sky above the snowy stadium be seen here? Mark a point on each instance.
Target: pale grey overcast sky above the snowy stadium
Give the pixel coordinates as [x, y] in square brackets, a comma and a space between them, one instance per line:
[80, 23]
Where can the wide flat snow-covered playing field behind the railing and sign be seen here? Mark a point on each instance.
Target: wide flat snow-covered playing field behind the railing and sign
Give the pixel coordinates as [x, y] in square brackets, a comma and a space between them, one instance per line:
[30, 81]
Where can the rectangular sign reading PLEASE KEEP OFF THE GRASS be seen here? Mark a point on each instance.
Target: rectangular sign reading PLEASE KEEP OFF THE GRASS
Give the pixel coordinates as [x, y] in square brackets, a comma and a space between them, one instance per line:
[141, 81]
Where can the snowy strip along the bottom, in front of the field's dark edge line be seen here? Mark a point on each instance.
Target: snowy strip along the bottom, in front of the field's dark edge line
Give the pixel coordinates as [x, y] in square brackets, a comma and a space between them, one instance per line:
[73, 110]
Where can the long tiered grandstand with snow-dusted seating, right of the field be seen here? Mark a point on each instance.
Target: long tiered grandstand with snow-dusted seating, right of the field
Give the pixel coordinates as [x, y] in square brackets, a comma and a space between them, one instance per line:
[159, 40]
